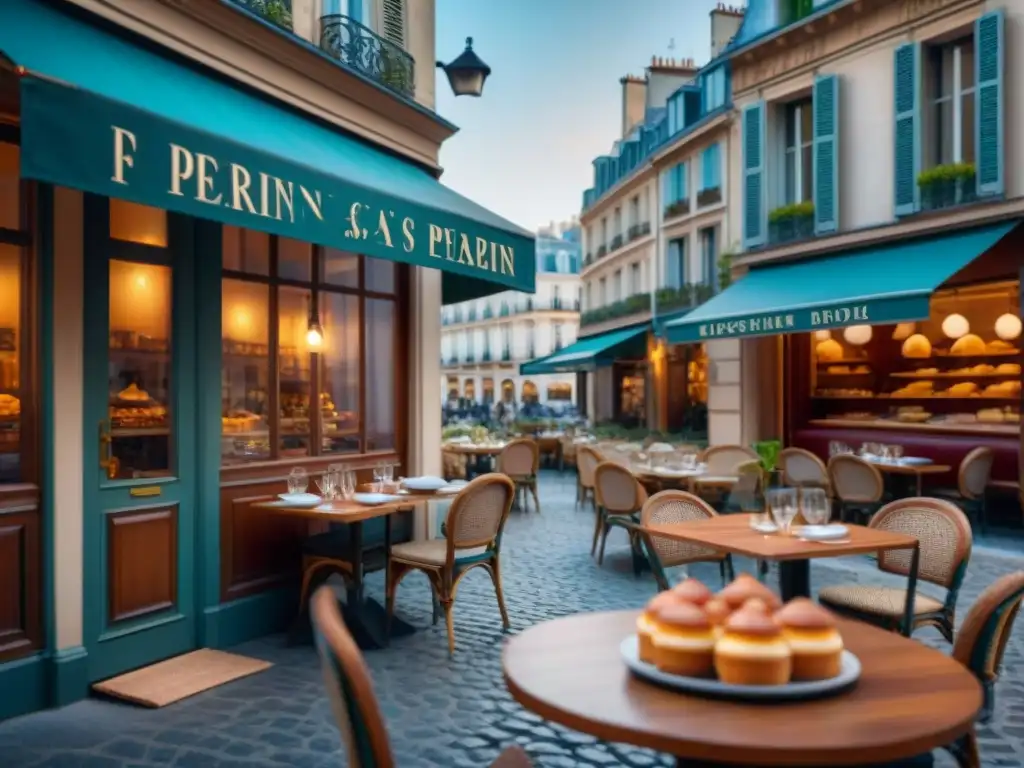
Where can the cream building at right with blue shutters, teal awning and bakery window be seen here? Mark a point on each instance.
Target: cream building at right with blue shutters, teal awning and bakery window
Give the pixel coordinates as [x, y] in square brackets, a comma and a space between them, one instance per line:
[877, 181]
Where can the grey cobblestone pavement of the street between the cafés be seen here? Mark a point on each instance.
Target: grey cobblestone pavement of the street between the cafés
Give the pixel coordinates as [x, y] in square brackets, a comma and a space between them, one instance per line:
[440, 712]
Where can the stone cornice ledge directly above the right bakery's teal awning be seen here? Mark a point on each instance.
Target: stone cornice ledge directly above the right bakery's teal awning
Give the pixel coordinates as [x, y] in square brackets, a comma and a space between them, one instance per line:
[921, 226]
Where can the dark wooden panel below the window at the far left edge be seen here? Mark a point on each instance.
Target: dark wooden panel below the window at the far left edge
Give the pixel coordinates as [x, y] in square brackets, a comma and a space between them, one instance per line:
[21, 574]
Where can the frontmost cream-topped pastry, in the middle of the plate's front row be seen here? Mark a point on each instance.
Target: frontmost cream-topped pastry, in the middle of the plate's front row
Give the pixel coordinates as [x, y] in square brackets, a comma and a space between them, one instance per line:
[753, 651]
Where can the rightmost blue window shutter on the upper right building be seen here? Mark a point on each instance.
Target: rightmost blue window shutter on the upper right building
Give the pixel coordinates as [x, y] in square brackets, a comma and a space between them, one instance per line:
[989, 113]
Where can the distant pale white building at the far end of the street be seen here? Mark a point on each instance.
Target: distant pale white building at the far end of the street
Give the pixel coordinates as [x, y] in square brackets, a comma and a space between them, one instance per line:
[486, 342]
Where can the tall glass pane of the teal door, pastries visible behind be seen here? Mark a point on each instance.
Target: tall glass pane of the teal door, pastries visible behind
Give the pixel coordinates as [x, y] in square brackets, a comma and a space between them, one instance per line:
[140, 371]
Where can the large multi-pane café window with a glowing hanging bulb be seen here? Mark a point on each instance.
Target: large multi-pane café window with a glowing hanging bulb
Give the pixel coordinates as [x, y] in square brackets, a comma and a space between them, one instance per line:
[284, 396]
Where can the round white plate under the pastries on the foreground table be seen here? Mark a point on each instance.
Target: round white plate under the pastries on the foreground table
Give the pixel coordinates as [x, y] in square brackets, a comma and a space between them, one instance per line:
[803, 691]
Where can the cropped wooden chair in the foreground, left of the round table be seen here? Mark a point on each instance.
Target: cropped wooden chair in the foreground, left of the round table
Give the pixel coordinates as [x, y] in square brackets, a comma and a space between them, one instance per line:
[354, 702]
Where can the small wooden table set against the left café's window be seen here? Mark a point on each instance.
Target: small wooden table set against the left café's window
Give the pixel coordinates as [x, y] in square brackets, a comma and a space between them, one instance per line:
[365, 617]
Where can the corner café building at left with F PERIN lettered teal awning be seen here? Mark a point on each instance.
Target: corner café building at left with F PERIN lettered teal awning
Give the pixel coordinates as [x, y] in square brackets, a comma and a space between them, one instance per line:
[224, 251]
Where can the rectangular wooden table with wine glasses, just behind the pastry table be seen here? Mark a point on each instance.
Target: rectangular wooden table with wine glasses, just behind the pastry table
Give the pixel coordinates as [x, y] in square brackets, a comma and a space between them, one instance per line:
[734, 534]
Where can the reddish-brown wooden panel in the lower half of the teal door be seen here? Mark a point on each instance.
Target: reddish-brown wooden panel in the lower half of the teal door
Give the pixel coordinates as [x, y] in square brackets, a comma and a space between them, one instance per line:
[143, 562]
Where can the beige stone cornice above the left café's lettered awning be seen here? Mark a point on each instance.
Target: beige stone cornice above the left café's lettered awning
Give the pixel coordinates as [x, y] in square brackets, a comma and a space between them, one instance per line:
[160, 21]
